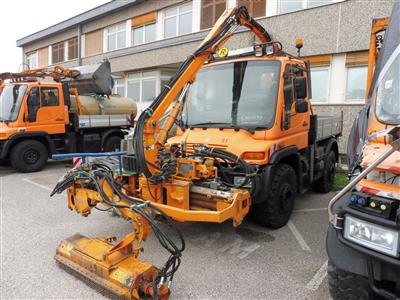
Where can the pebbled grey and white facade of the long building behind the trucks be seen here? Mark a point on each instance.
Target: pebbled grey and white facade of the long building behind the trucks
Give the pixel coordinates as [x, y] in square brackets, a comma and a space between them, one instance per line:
[335, 30]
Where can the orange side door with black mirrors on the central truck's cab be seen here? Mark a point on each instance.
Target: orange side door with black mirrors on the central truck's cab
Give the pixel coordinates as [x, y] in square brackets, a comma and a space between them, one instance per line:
[296, 122]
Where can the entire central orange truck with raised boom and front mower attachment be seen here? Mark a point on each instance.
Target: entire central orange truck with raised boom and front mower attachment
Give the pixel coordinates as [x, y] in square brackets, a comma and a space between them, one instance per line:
[247, 138]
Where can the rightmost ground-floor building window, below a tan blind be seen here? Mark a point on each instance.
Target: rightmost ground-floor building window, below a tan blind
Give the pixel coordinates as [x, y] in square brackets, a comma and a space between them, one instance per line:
[356, 82]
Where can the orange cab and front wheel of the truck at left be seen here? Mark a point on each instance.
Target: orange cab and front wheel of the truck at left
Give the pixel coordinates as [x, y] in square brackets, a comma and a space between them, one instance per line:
[31, 112]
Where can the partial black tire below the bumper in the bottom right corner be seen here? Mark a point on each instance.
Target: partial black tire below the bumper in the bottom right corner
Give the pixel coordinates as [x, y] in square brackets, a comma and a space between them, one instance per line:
[348, 286]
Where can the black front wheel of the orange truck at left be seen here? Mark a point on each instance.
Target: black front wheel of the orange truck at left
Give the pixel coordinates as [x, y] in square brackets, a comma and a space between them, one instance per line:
[29, 156]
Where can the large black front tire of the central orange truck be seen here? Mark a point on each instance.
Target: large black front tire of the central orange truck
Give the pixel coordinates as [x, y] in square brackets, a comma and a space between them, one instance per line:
[276, 208]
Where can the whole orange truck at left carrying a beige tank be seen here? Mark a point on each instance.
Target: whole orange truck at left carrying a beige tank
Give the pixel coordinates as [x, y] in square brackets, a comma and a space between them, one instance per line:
[54, 110]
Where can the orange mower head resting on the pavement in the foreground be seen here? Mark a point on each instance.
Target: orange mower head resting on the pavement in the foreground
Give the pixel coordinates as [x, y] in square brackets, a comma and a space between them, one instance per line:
[120, 272]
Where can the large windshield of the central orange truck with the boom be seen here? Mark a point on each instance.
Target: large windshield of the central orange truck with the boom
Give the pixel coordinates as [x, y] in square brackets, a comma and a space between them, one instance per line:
[241, 94]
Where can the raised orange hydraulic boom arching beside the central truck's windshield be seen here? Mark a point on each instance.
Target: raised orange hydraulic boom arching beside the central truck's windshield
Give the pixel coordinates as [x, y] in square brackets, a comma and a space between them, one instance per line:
[149, 139]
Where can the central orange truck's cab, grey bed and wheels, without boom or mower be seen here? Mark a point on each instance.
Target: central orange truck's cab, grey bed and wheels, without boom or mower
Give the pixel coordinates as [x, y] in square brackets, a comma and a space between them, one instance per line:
[258, 107]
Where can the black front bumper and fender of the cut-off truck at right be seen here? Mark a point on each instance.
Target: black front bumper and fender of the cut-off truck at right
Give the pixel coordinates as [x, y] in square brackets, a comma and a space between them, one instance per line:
[354, 258]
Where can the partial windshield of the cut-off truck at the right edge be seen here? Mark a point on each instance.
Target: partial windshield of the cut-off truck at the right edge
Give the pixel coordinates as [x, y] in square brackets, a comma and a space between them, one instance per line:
[388, 93]
